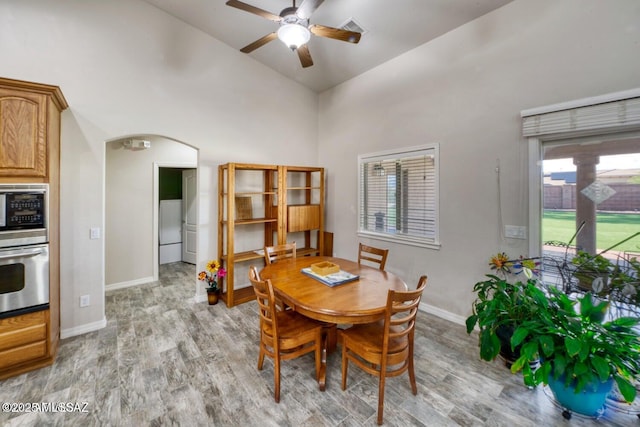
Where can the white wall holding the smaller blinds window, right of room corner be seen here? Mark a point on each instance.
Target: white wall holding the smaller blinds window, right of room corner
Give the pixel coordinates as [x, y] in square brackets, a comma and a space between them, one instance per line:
[465, 91]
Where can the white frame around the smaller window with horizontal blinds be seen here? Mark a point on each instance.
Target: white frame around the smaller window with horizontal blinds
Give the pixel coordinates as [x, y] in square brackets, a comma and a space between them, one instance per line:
[430, 149]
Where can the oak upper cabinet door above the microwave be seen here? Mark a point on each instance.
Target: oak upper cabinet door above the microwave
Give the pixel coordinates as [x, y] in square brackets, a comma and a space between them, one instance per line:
[23, 120]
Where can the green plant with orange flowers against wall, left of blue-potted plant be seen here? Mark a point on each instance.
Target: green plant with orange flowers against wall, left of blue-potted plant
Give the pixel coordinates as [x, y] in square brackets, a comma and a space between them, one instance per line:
[501, 306]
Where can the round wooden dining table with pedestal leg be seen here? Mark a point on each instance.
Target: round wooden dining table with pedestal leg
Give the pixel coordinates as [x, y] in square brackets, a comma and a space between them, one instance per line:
[359, 301]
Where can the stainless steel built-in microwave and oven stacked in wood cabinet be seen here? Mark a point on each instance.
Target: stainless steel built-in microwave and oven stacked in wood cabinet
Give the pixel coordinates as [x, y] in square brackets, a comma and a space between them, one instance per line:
[24, 248]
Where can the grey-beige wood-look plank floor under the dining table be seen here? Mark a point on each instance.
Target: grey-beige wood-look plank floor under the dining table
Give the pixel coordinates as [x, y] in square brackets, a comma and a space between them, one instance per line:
[165, 360]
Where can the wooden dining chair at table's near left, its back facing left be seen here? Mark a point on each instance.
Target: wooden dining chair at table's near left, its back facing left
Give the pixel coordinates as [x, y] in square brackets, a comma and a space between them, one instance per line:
[284, 334]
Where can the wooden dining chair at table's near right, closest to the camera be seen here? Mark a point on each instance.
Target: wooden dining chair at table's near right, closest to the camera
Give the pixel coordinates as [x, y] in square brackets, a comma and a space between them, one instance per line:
[385, 348]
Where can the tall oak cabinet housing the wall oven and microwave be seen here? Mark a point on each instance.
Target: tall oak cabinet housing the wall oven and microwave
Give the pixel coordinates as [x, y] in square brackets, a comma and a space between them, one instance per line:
[30, 153]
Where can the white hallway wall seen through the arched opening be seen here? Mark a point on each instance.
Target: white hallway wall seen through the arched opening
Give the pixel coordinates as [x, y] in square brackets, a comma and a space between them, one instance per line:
[129, 202]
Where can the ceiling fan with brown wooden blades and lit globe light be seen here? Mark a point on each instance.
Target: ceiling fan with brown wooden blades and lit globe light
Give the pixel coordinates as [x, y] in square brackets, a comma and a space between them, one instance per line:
[295, 30]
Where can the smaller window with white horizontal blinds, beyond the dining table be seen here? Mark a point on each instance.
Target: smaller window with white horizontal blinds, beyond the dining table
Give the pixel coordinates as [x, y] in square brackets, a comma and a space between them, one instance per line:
[398, 195]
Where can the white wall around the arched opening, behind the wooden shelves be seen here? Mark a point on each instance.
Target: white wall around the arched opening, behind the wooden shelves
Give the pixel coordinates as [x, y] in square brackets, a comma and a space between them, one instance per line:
[127, 68]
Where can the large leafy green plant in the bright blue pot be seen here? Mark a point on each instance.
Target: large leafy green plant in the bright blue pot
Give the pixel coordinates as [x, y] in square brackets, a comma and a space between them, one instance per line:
[581, 356]
